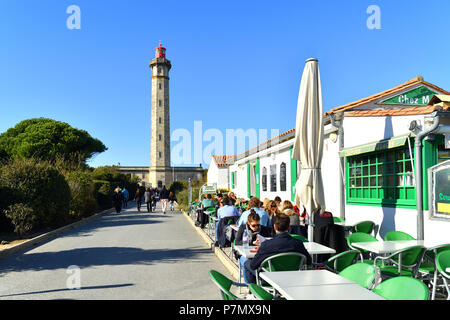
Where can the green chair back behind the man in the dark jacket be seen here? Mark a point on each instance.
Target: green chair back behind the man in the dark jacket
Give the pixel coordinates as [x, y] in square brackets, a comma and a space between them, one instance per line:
[287, 261]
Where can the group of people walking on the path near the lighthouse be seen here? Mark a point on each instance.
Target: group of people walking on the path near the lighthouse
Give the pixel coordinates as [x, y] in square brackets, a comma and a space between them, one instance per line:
[151, 196]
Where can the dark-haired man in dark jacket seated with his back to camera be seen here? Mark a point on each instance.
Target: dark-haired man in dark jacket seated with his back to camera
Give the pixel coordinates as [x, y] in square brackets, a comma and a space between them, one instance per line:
[282, 242]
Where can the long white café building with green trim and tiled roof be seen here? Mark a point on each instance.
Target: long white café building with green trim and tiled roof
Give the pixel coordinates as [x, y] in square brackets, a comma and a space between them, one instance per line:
[367, 169]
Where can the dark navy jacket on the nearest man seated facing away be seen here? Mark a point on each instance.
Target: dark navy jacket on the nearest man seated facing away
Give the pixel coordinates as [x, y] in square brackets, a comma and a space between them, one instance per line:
[282, 242]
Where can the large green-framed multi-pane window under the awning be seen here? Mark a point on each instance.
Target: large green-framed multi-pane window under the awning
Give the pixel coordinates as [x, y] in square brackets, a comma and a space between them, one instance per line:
[383, 177]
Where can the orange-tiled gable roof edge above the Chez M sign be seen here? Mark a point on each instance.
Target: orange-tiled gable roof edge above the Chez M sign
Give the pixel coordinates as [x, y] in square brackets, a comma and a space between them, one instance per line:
[384, 94]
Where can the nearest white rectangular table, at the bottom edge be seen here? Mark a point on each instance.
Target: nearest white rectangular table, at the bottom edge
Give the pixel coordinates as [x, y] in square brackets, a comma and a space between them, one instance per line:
[316, 285]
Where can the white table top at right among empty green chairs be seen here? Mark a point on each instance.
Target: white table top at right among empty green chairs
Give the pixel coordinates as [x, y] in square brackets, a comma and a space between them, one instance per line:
[383, 247]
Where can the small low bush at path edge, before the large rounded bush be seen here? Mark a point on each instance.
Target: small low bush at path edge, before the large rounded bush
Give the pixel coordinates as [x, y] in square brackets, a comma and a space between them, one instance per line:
[22, 217]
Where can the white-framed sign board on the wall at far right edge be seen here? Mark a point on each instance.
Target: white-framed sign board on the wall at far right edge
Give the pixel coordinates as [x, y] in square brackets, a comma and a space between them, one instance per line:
[439, 190]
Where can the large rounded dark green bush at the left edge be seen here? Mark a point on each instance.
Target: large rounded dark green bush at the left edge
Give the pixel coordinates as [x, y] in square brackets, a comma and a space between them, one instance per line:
[40, 186]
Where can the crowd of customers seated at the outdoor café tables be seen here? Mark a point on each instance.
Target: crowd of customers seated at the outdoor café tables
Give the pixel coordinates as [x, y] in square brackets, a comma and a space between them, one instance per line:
[275, 219]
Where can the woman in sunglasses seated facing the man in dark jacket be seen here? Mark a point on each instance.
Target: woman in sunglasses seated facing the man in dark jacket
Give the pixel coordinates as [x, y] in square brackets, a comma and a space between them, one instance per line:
[253, 228]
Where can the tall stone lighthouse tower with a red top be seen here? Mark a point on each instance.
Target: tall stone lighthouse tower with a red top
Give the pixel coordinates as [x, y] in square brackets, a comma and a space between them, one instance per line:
[160, 170]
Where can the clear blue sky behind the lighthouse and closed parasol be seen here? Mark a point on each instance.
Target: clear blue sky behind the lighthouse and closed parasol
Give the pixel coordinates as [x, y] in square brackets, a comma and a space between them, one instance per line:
[235, 64]
